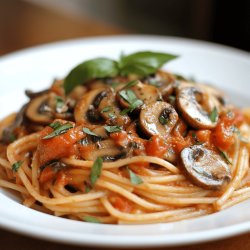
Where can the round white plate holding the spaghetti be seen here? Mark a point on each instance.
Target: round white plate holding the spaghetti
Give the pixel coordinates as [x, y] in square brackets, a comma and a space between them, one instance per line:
[35, 69]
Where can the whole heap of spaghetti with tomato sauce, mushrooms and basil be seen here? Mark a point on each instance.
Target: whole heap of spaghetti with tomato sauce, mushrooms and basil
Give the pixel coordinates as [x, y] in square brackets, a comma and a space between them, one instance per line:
[125, 142]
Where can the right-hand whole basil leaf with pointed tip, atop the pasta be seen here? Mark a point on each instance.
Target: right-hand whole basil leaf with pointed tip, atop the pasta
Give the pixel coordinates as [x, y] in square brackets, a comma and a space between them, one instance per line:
[143, 63]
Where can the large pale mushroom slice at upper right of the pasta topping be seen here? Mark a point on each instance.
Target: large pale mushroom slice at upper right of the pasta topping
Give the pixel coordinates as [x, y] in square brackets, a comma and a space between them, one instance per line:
[192, 102]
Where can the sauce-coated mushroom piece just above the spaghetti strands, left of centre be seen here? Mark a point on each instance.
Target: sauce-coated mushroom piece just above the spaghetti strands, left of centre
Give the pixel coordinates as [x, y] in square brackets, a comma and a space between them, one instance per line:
[105, 149]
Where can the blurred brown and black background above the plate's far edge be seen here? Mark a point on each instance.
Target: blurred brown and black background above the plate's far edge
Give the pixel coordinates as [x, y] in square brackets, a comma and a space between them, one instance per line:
[24, 23]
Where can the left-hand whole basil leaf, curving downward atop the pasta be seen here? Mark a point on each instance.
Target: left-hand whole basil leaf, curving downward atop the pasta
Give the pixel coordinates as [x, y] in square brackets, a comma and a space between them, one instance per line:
[91, 69]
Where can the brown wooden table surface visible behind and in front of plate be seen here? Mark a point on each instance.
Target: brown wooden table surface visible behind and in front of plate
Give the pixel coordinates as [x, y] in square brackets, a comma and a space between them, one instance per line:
[23, 25]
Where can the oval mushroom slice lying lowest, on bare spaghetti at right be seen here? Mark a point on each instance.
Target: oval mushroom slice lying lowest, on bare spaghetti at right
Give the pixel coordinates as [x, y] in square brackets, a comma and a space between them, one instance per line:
[205, 167]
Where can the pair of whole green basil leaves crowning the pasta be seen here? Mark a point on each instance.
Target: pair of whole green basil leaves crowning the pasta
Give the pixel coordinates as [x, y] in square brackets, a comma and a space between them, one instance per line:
[141, 64]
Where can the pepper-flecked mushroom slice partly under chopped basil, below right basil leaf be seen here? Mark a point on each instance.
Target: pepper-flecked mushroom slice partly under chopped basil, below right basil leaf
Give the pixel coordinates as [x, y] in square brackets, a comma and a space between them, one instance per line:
[144, 92]
